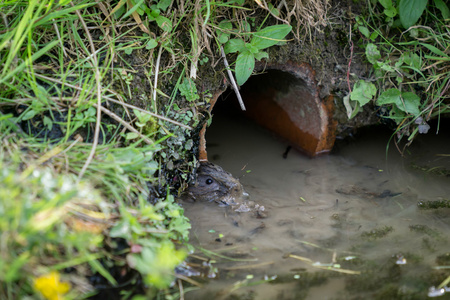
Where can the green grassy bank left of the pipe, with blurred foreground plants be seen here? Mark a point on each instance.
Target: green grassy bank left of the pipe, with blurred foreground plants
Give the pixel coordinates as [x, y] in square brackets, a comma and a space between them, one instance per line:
[99, 104]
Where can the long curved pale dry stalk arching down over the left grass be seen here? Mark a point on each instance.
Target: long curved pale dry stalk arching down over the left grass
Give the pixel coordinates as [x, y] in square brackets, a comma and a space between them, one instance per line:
[99, 97]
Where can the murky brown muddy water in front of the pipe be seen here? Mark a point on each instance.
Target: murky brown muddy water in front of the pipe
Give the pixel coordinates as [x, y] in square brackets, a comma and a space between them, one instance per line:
[354, 212]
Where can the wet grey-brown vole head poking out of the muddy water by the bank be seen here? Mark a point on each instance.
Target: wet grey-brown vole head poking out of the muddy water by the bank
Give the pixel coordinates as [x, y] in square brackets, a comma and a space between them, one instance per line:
[215, 184]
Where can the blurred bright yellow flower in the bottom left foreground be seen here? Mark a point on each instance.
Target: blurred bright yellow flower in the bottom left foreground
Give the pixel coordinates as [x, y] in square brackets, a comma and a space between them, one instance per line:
[51, 287]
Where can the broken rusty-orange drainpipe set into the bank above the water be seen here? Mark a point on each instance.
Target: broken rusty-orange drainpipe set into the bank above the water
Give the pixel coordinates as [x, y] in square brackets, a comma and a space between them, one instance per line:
[284, 98]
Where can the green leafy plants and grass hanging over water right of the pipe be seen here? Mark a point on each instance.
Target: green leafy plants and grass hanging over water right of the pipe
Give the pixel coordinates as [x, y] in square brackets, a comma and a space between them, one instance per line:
[411, 65]
